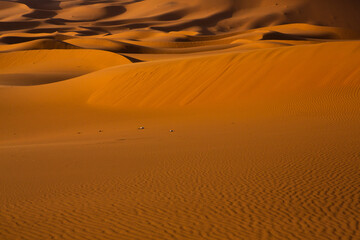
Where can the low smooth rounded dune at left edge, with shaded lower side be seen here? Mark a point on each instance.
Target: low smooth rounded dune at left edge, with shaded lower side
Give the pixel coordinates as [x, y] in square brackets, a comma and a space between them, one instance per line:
[36, 67]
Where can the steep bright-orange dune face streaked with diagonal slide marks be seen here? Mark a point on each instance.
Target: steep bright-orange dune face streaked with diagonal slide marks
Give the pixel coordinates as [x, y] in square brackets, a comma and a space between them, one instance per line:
[232, 78]
